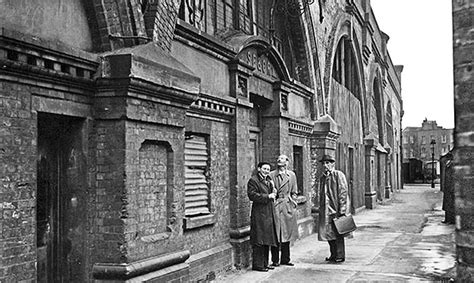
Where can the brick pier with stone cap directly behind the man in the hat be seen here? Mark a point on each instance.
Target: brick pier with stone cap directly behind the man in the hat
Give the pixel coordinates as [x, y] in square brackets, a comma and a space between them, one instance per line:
[323, 141]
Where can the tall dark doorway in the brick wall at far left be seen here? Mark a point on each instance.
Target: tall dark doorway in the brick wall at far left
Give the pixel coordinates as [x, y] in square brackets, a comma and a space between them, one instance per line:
[60, 206]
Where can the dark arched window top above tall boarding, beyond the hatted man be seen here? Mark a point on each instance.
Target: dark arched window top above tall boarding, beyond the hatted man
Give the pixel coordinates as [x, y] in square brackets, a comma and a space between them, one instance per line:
[345, 67]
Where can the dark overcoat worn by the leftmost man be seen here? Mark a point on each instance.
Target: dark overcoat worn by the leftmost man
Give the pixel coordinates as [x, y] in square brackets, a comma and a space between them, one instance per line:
[262, 223]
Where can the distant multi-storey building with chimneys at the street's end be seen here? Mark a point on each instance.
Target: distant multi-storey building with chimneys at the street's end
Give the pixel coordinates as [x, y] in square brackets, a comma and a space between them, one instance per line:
[417, 141]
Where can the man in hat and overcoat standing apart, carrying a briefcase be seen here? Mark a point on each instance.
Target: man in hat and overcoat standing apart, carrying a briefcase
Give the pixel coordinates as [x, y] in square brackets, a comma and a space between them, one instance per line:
[333, 203]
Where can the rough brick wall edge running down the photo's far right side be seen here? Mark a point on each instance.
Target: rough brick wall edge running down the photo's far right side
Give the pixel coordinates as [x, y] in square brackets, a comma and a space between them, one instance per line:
[463, 47]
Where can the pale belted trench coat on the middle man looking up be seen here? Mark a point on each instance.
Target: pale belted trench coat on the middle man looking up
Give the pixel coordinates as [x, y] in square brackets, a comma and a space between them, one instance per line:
[285, 205]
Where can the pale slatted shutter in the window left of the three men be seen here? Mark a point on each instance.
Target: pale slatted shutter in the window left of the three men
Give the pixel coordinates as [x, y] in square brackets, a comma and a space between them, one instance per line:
[196, 168]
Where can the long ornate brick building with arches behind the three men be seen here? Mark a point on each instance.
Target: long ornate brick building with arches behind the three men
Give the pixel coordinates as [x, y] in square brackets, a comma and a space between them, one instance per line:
[129, 128]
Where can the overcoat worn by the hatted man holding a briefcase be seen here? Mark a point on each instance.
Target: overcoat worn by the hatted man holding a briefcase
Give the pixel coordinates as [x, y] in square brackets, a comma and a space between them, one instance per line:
[333, 201]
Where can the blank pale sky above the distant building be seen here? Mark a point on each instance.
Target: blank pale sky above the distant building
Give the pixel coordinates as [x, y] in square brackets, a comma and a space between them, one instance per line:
[420, 34]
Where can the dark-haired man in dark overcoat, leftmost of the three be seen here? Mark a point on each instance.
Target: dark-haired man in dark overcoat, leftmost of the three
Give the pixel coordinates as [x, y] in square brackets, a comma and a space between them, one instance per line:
[260, 191]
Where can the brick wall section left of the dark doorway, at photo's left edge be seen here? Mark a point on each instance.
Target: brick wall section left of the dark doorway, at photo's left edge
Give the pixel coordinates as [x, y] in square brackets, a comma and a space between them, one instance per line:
[17, 183]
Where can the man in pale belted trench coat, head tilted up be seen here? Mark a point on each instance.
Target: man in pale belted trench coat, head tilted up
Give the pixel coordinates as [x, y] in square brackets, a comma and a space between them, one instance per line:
[285, 211]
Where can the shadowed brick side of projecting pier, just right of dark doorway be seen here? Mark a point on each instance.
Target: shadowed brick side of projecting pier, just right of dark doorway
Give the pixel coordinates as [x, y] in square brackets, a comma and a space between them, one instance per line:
[108, 183]
